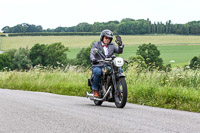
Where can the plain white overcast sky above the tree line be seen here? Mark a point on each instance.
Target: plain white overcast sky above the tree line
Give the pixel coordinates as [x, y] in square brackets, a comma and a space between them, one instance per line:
[66, 13]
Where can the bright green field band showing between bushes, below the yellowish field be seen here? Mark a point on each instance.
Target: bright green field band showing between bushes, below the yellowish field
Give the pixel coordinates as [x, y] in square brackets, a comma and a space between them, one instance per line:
[181, 54]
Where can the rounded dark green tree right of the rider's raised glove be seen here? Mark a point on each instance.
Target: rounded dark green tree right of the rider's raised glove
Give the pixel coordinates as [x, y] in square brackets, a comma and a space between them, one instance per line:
[151, 54]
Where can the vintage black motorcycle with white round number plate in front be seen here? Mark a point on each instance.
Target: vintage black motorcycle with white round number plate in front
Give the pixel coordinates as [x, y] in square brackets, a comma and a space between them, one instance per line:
[112, 87]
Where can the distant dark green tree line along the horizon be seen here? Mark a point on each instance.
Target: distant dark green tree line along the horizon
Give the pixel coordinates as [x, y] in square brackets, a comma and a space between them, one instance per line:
[126, 26]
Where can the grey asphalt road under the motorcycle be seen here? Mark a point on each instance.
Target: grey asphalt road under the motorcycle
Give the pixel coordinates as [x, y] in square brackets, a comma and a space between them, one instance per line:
[37, 112]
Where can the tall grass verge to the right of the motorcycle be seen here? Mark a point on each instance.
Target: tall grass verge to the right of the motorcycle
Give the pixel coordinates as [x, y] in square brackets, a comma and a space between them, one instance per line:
[177, 89]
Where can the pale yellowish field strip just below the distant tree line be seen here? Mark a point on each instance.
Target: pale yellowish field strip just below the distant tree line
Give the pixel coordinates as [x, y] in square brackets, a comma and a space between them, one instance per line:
[84, 41]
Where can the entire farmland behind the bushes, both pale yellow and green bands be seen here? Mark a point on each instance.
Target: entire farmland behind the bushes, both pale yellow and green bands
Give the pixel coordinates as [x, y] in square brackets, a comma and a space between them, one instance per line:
[172, 47]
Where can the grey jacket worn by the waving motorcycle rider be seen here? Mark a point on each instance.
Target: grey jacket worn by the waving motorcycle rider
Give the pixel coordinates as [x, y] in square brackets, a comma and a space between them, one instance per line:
[111, 50]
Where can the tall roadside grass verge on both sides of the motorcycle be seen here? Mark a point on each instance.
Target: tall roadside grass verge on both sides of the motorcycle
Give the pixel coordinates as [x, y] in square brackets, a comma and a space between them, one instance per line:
[177, 89]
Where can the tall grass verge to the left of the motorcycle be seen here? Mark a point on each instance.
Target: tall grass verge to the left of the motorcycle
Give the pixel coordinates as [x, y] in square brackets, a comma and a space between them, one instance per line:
[70, 82]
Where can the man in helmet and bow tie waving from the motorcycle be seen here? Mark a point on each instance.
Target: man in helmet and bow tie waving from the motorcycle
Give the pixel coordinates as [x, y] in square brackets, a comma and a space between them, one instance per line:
[106, 49]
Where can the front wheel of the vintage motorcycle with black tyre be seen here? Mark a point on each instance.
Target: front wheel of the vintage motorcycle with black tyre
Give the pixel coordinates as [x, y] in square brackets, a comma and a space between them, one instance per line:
[121, 94]
